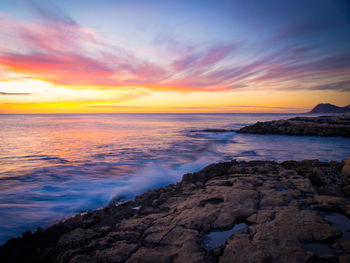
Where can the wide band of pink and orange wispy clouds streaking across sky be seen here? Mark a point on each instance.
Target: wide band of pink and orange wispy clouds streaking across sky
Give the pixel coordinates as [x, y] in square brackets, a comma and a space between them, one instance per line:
[59, 50]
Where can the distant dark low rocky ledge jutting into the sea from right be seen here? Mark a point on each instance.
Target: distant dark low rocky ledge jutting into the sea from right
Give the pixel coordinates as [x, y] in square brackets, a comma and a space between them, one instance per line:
[303, 126]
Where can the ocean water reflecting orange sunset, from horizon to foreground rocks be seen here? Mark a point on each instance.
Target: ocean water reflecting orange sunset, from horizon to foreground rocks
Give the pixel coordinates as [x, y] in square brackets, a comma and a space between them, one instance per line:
[54, 166]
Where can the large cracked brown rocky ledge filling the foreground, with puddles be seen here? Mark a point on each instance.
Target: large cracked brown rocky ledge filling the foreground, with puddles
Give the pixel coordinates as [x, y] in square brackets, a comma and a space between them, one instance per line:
[257, 211]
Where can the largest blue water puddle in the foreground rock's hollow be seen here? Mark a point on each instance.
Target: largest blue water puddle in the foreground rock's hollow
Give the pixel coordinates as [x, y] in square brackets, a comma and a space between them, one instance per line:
[218, 238]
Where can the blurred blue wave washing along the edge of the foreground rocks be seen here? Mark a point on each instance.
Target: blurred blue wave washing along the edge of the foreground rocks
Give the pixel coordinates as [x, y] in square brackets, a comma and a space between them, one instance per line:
[54, 193]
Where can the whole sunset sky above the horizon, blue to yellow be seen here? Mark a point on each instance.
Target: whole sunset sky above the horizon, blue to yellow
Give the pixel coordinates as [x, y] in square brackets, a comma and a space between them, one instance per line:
[88, 56]
